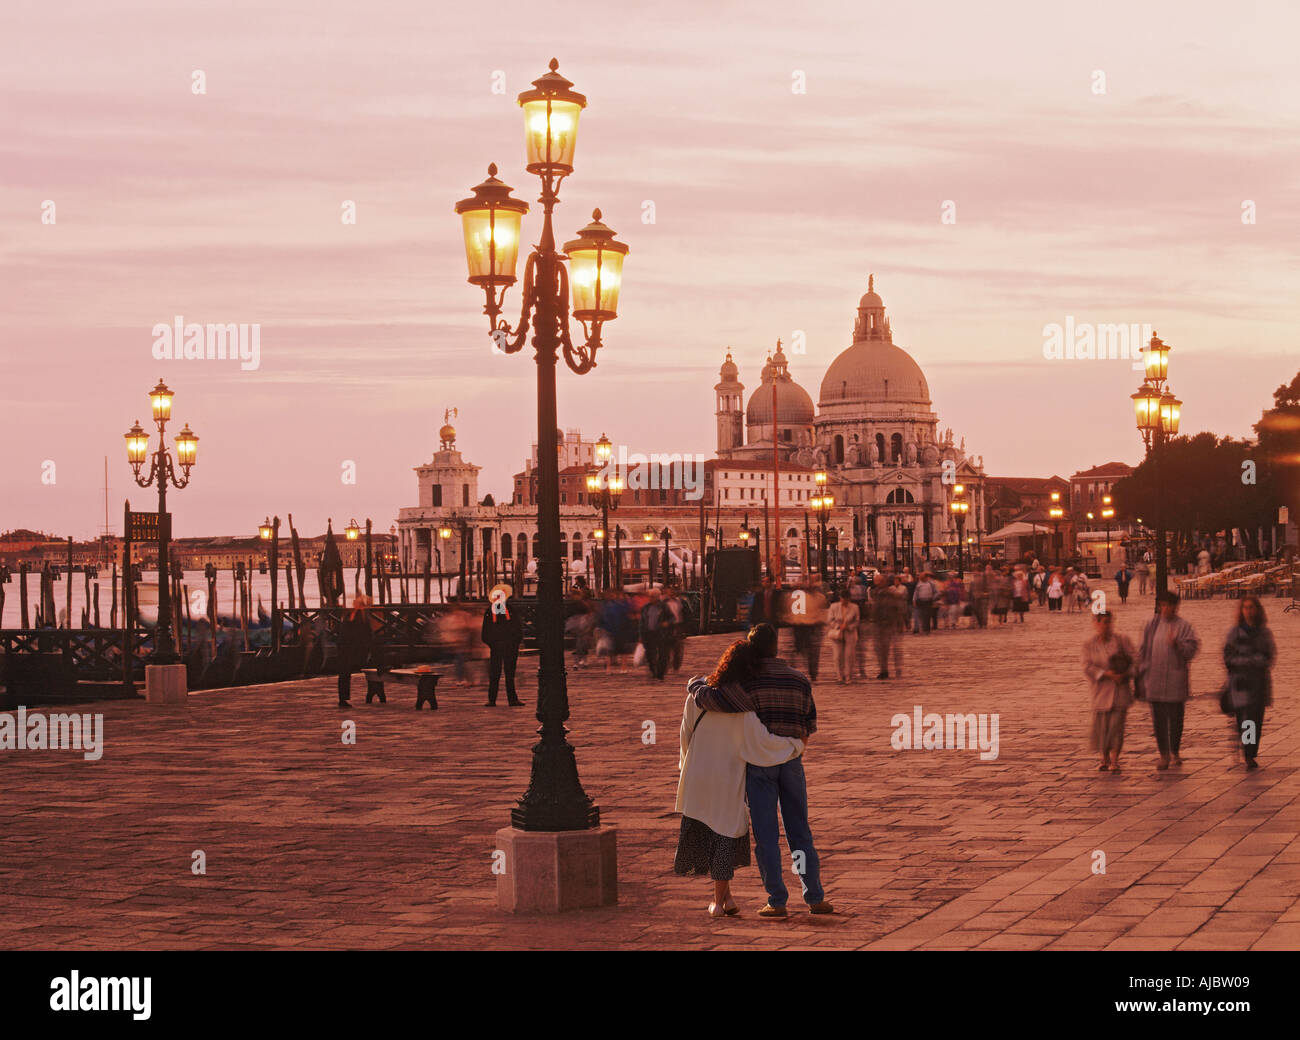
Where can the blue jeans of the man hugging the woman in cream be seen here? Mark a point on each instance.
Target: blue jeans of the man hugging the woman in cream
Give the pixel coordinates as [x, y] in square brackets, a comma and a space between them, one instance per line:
[766, 788]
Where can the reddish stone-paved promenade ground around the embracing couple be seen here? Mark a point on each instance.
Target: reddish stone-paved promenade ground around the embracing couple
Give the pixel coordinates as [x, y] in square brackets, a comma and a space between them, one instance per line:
[313, 844]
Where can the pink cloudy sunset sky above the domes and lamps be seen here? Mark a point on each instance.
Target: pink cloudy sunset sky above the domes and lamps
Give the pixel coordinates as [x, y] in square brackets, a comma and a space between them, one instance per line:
[772, 207]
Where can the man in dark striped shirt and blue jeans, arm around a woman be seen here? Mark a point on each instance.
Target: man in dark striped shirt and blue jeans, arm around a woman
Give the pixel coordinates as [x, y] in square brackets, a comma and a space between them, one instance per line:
[783, 701]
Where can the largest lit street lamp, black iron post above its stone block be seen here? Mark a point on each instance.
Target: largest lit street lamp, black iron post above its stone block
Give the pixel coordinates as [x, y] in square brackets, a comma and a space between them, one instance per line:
[492, 219]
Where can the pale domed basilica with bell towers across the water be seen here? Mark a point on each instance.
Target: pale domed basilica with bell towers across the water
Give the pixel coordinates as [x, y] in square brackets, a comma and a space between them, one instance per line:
[873, 431]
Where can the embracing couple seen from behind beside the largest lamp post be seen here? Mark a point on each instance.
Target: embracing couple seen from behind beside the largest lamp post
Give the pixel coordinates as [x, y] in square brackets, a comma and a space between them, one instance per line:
[743, 738]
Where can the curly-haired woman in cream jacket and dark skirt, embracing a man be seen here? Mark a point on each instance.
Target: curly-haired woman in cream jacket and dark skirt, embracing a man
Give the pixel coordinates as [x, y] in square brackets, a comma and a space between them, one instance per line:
[716, 748]
